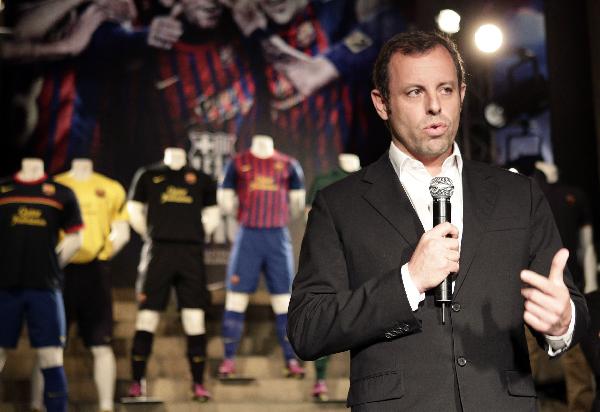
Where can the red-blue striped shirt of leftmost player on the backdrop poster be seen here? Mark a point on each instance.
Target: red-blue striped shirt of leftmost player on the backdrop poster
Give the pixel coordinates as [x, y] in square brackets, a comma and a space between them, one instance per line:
[71, 94]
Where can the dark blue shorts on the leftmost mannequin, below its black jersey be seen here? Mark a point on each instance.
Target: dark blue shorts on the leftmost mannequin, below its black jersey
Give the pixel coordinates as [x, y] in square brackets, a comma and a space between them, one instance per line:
[42, 309]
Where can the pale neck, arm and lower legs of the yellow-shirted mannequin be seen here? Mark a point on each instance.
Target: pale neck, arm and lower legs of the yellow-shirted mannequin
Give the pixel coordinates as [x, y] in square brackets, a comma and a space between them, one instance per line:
[104, 359]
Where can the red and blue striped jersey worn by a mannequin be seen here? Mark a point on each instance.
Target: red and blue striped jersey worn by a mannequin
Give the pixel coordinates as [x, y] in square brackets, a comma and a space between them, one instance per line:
[262, 186]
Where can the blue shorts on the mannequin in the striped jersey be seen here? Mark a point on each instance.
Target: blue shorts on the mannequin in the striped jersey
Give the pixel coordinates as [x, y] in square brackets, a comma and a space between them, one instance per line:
[261, 250]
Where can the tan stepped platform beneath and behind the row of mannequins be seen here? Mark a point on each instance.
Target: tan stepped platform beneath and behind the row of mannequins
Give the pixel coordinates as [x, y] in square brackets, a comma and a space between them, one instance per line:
[168, 376]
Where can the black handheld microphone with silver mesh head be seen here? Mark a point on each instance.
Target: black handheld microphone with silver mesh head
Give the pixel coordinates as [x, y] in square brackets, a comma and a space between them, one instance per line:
[441, 189]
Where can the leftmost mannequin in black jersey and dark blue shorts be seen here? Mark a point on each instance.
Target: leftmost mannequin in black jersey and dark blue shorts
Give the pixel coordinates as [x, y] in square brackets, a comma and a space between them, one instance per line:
[37, 205]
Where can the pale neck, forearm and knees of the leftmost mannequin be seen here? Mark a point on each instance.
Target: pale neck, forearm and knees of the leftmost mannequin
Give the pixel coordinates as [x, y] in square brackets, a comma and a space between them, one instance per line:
[48, 357]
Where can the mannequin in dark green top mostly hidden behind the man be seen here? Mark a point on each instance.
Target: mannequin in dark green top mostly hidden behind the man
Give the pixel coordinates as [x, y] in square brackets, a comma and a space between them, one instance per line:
[347, 163]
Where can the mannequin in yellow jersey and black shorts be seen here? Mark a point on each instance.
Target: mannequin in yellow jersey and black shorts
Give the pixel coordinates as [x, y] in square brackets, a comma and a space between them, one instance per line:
[86, 278]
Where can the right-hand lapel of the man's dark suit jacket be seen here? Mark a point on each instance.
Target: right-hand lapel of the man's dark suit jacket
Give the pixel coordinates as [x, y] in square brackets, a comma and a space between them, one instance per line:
[479, 197]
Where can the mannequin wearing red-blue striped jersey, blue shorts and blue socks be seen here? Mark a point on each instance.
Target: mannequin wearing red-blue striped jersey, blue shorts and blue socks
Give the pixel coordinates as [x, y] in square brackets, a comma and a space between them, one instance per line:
[267, 184]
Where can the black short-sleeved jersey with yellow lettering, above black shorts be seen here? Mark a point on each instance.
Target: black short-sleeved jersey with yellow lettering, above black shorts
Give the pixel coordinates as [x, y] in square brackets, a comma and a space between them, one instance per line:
[175, 199]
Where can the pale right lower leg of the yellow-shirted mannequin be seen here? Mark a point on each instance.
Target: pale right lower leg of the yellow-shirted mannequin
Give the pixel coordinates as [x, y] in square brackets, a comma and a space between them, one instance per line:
[105, 371]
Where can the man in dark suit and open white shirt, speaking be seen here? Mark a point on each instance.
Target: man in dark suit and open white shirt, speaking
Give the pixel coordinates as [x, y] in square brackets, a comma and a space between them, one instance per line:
[371, 259]
